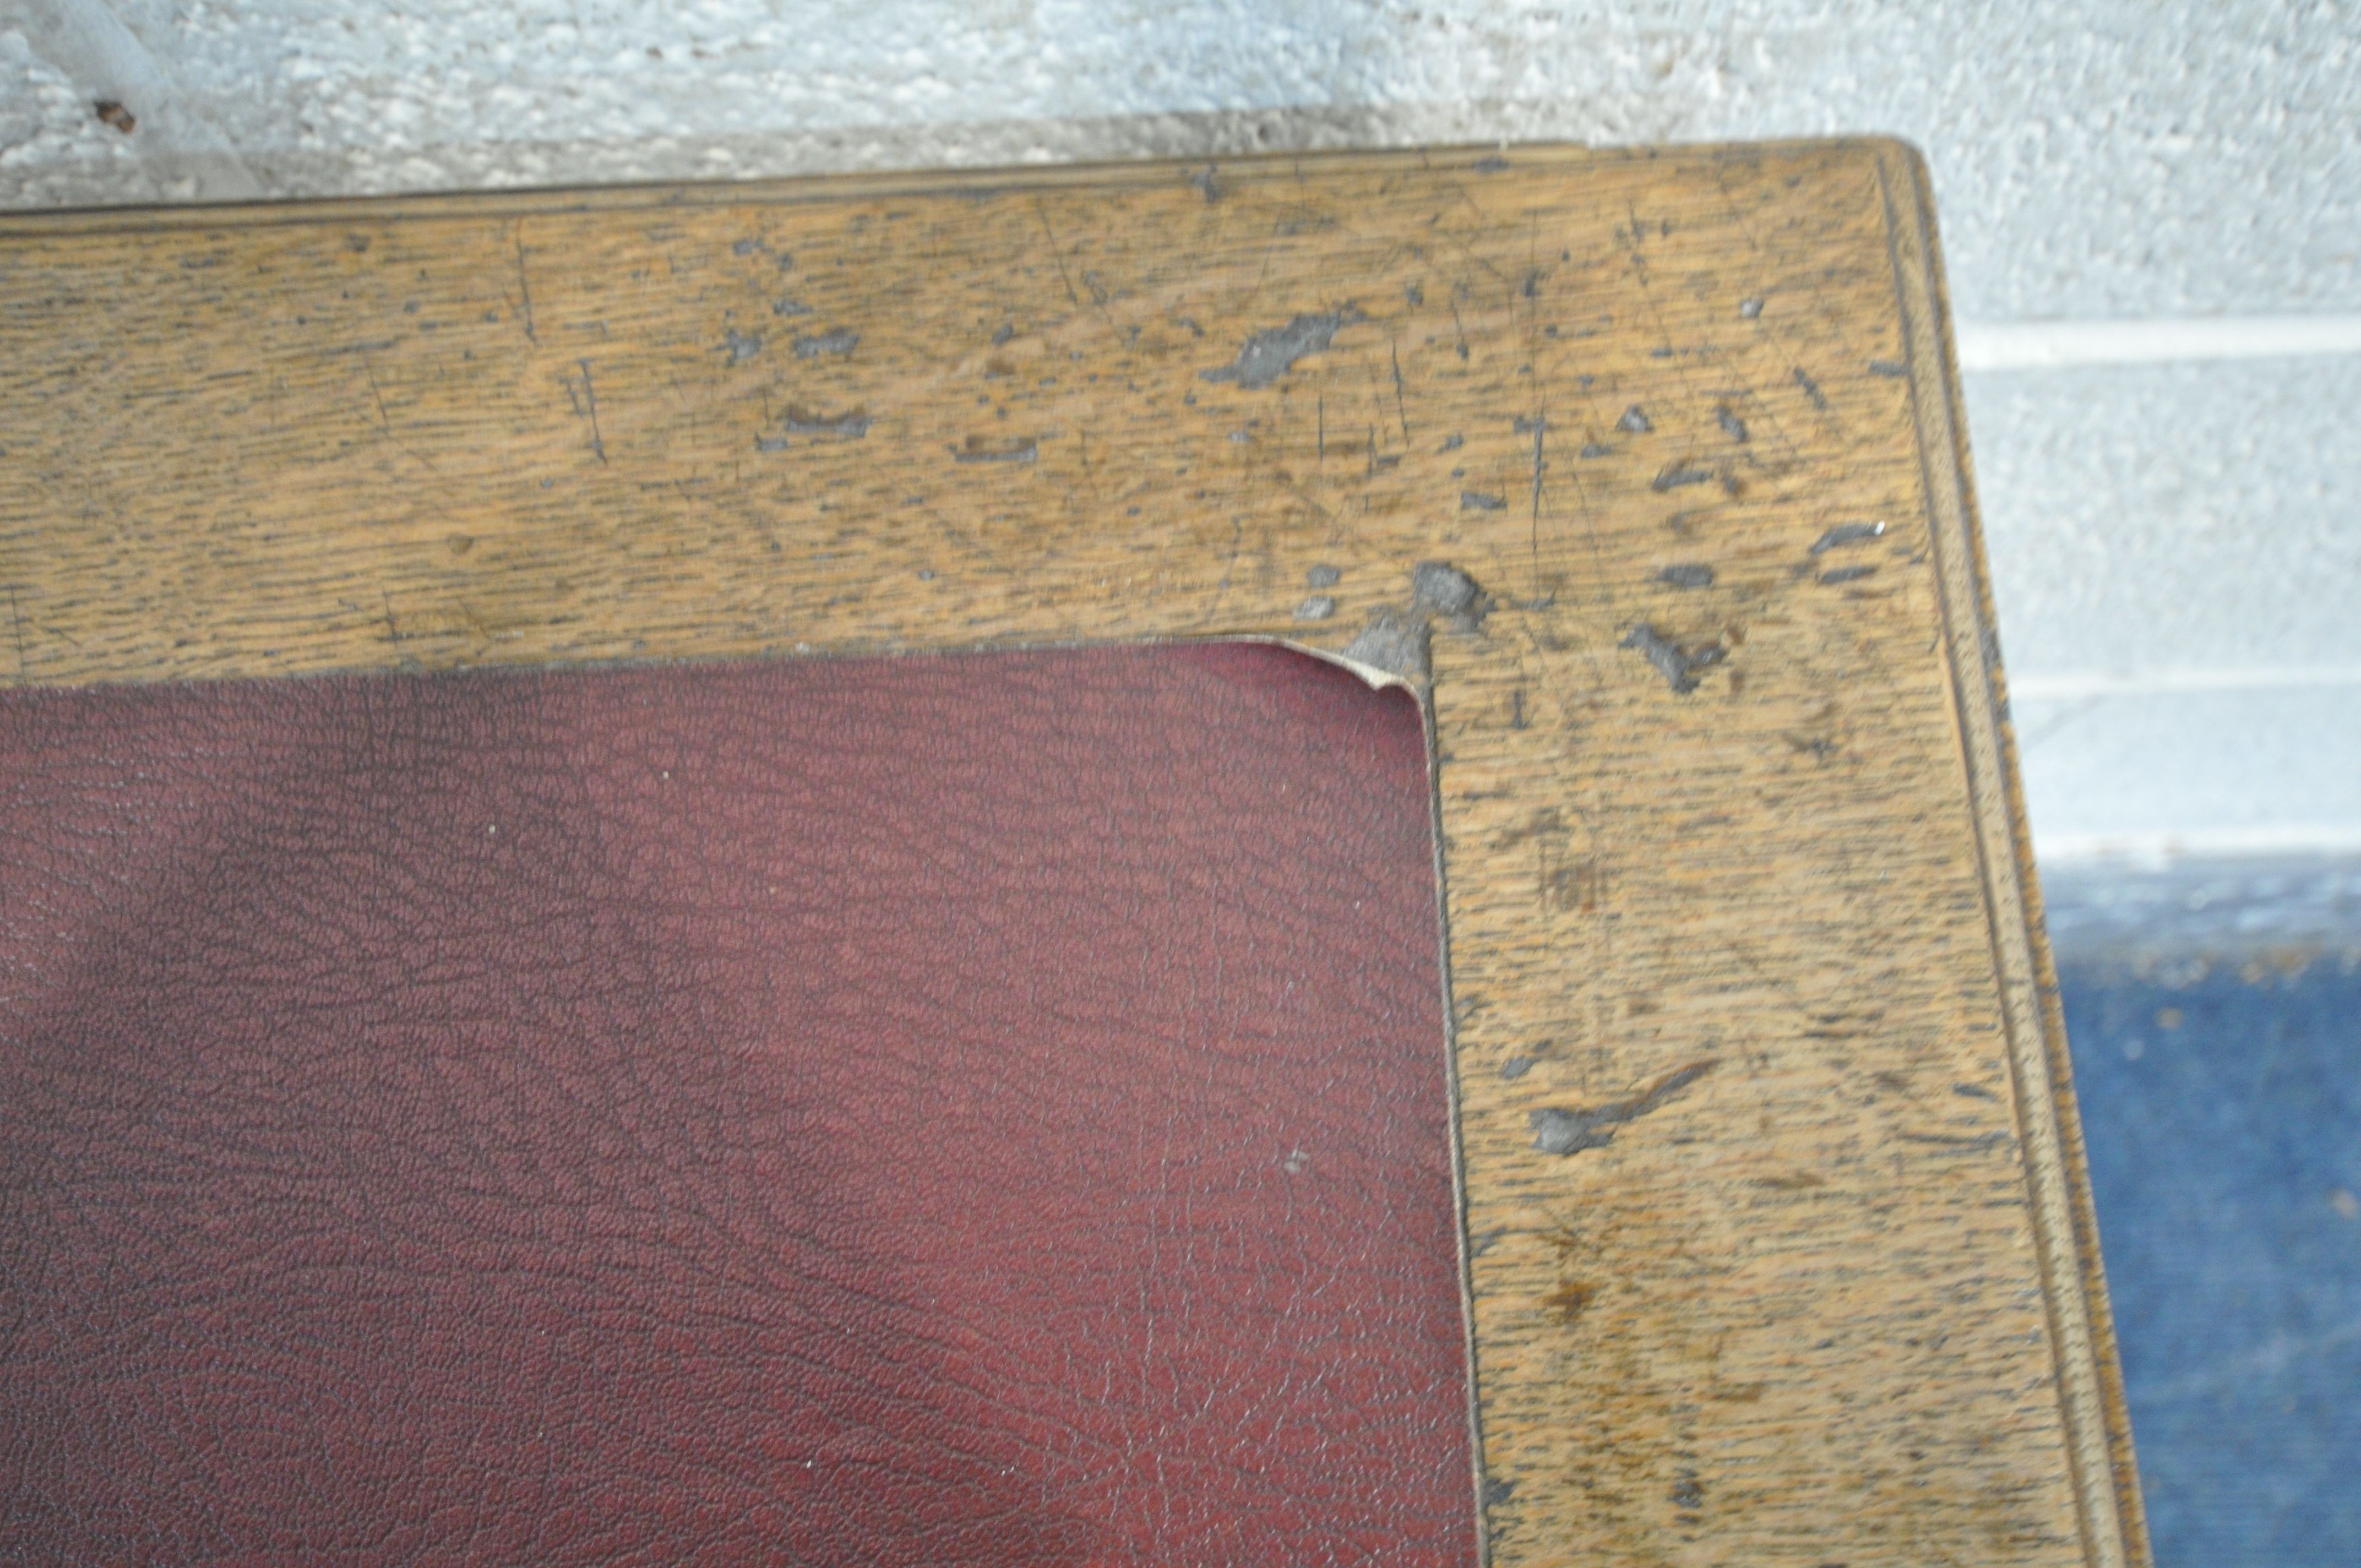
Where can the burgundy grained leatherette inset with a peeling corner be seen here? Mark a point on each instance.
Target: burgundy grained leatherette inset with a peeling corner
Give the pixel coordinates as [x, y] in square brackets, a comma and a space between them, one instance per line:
[908, 1111]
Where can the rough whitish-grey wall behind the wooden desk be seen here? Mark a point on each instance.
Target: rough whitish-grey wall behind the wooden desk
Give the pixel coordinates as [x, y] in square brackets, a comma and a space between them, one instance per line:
[2176, 544]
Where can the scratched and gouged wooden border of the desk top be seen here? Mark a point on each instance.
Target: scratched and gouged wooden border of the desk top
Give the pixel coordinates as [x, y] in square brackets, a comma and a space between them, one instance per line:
[1777, 1217]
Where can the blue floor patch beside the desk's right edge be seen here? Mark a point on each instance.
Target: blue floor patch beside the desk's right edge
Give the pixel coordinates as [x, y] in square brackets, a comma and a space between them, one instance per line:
[2225, 1156]
